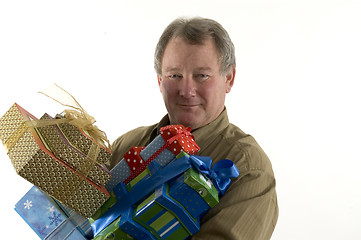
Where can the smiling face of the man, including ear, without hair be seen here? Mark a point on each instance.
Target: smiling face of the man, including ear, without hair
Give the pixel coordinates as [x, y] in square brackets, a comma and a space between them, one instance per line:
[192, 86]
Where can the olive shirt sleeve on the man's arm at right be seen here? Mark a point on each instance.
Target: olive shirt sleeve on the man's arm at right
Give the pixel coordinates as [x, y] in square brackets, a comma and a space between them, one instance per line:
[249, 208]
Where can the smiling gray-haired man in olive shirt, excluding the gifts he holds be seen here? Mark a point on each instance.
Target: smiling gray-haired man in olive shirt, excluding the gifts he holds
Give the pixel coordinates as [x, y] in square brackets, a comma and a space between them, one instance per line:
[195, 66]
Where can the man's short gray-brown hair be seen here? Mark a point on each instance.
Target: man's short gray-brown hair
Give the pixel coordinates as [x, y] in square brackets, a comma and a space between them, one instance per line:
[196, 31]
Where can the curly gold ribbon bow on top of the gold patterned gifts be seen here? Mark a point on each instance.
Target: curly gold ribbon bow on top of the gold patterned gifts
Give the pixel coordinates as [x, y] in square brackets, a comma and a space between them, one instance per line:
[76, 116]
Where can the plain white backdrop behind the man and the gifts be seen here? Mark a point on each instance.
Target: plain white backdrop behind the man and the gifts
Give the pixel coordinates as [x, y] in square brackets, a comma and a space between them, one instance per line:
[296, 90]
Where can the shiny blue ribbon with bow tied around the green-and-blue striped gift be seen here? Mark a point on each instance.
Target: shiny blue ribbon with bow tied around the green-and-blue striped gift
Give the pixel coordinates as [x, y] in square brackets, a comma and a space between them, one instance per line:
[220, 176]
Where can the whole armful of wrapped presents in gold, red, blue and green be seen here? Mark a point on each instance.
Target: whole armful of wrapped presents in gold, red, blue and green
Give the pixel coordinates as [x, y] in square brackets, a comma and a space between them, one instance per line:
[158, 191]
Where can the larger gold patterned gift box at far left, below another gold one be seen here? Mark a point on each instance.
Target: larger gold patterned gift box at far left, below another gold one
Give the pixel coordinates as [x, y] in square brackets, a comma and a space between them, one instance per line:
[33, 160]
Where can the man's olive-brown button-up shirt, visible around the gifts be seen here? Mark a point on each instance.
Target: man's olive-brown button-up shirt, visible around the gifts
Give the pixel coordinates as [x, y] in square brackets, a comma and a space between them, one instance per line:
[249, 209]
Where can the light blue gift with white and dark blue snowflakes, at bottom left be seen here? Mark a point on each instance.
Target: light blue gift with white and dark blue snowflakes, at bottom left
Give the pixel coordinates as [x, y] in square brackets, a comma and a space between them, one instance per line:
[46, 220]
